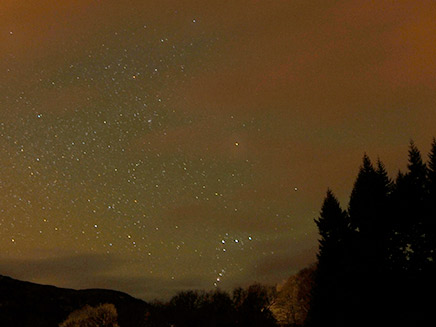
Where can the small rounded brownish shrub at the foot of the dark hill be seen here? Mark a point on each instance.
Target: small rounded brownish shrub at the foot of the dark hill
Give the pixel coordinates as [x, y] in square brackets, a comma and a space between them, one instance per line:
[104, 315]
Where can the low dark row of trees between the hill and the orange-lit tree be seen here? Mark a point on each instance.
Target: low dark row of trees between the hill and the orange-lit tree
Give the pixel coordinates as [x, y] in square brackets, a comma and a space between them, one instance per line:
[243, 307]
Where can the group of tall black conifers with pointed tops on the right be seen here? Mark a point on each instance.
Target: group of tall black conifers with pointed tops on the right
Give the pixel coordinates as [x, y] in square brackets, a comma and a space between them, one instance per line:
[376, 260]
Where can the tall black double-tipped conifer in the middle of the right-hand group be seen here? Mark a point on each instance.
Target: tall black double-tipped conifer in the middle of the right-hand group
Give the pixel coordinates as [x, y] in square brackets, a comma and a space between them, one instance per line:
[367, 209]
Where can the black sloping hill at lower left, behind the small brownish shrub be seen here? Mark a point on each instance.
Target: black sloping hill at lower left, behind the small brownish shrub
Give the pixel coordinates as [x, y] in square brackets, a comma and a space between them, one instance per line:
[29, 304]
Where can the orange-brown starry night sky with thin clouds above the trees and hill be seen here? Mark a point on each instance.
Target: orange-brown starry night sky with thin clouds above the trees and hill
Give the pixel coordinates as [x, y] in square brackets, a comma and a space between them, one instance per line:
[155, 146]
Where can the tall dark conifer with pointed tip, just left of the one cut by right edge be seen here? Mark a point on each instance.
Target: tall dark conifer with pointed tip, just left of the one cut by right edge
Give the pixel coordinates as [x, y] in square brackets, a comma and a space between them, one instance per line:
[410, 242]
